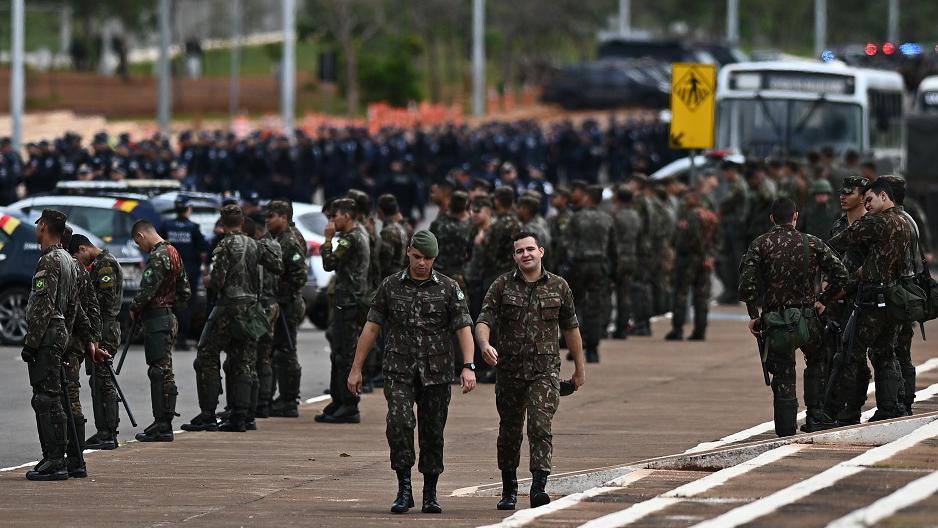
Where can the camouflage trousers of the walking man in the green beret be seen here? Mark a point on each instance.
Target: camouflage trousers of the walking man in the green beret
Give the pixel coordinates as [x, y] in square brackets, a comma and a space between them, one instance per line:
[432, 403]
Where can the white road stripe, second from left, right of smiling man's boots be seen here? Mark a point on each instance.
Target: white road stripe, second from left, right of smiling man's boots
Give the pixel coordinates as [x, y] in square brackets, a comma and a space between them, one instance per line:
[637, 511]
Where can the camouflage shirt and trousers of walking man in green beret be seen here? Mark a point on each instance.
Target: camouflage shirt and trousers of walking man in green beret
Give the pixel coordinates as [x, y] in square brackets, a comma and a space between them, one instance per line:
[418, 318]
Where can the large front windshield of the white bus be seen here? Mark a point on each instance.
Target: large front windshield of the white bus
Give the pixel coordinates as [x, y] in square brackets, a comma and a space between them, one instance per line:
[788, 127]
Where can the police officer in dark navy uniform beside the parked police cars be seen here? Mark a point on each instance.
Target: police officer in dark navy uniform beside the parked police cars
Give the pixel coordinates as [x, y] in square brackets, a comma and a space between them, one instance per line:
[186, 237]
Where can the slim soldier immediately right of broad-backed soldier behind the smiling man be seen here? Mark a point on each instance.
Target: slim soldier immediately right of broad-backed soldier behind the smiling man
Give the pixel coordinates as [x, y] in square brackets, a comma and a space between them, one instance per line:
[626, 225]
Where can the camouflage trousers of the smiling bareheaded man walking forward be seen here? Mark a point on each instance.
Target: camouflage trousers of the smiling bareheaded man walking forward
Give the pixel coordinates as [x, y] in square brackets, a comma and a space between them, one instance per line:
[538, 399]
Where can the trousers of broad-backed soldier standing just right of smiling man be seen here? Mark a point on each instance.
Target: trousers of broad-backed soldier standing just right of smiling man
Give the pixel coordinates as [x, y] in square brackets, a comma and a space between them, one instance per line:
[592, 296]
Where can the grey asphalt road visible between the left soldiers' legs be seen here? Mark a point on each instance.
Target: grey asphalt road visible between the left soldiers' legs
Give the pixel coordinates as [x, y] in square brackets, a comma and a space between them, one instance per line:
[19, 442]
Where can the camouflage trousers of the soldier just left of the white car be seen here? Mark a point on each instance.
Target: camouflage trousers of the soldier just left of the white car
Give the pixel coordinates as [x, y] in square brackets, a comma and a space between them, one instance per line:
[286, 366]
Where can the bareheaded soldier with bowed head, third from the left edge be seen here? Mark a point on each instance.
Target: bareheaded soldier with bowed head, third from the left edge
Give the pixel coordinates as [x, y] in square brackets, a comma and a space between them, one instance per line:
[107, 279]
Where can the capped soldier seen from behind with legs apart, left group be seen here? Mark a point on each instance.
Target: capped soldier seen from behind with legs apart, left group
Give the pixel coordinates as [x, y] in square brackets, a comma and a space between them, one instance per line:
[233, 283]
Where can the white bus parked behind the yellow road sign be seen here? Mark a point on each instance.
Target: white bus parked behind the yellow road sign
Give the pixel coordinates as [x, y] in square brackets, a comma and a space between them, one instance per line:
[789, 108]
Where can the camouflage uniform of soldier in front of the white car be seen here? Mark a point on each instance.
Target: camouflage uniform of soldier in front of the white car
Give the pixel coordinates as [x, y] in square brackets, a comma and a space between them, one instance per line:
[349, 255]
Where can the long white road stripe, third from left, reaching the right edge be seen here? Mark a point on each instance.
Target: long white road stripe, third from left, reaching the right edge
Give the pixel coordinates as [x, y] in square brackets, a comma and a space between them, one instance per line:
[825, 479]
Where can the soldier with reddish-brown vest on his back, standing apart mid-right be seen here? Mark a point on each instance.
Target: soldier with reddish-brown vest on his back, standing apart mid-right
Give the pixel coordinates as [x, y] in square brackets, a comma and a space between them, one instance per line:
[694, 245]
